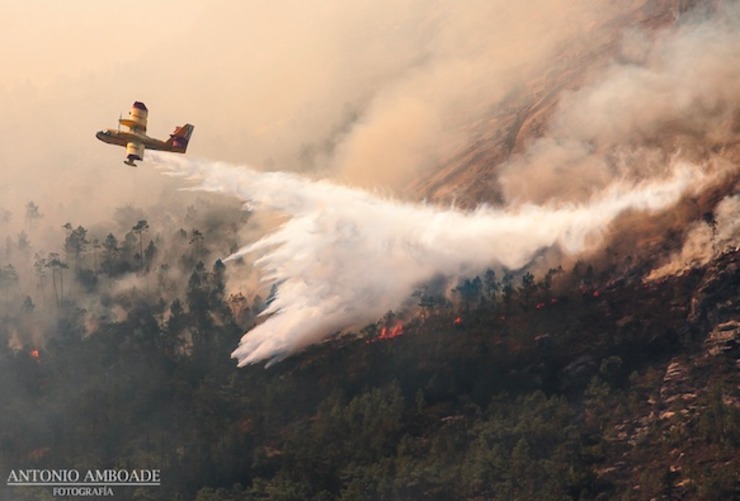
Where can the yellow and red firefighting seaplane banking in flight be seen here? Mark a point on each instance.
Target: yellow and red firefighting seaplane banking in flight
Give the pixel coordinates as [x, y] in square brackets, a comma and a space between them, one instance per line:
[135, 139]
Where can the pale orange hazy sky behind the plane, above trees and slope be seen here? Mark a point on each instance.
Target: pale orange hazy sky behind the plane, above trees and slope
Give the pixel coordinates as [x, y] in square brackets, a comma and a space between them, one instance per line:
[366, 91]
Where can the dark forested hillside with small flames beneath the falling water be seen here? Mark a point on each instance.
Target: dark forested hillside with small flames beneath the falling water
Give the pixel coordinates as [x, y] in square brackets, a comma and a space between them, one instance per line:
[582, 383]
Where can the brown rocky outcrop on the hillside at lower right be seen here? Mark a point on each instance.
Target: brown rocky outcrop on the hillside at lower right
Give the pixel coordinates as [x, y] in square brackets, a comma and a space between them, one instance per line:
[679, 398]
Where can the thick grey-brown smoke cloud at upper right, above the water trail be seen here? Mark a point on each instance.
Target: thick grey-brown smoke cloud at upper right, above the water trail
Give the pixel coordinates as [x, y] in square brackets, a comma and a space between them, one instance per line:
[672, 92]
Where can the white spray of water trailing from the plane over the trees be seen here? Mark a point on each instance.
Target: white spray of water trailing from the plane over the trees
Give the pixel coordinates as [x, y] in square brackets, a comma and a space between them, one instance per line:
[344, 257]
